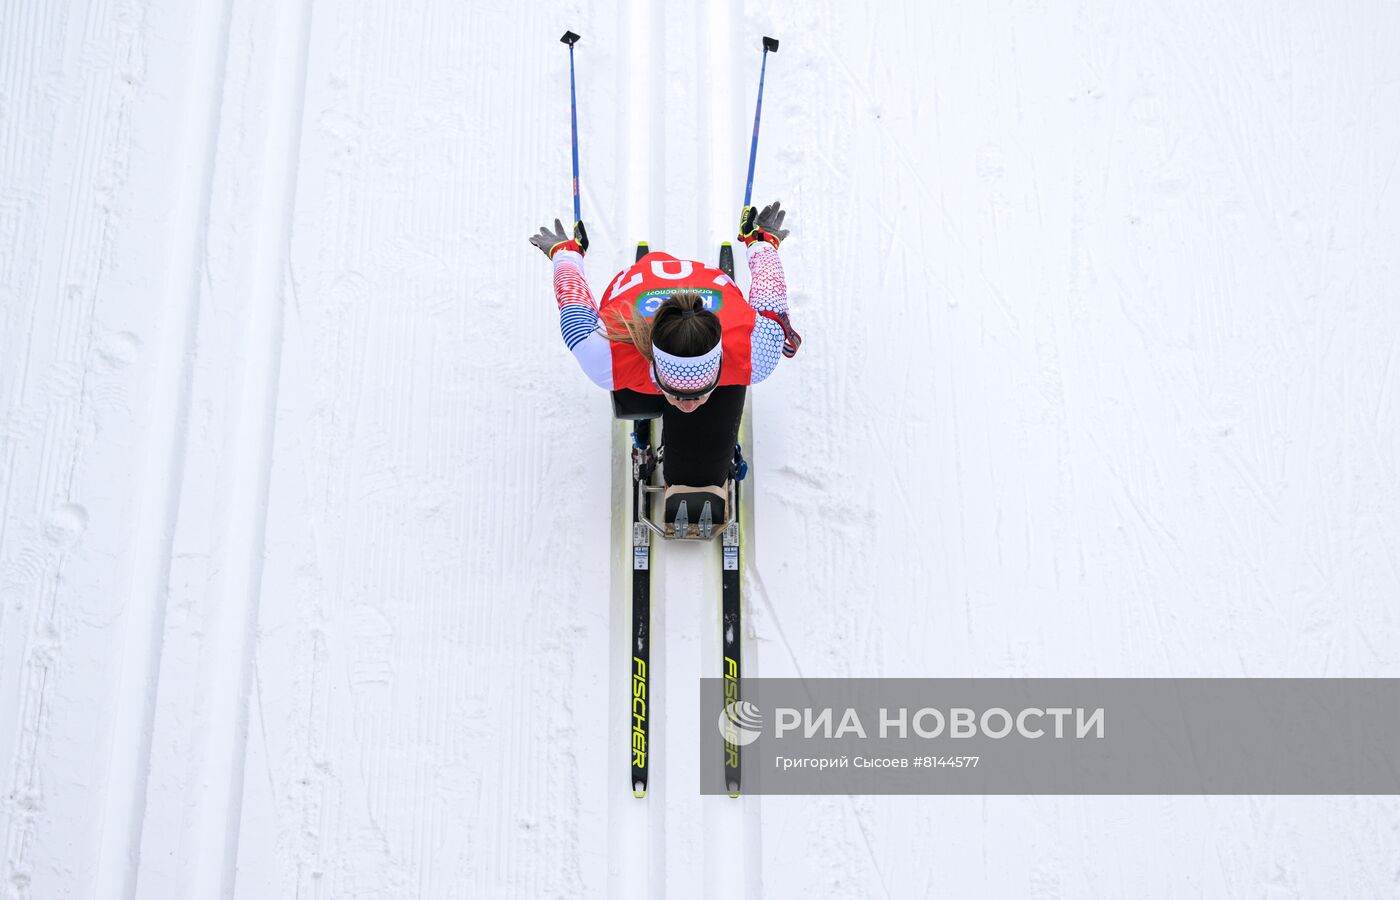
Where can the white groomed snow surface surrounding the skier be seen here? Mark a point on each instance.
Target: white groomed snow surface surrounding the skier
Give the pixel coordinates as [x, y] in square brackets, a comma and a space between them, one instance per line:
[307, 579]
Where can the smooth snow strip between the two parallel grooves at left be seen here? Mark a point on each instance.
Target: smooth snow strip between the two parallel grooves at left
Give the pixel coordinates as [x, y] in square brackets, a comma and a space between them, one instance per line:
[216, 731]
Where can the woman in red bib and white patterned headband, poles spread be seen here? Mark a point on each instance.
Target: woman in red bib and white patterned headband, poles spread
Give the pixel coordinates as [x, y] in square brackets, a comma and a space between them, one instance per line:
[681, 330]
